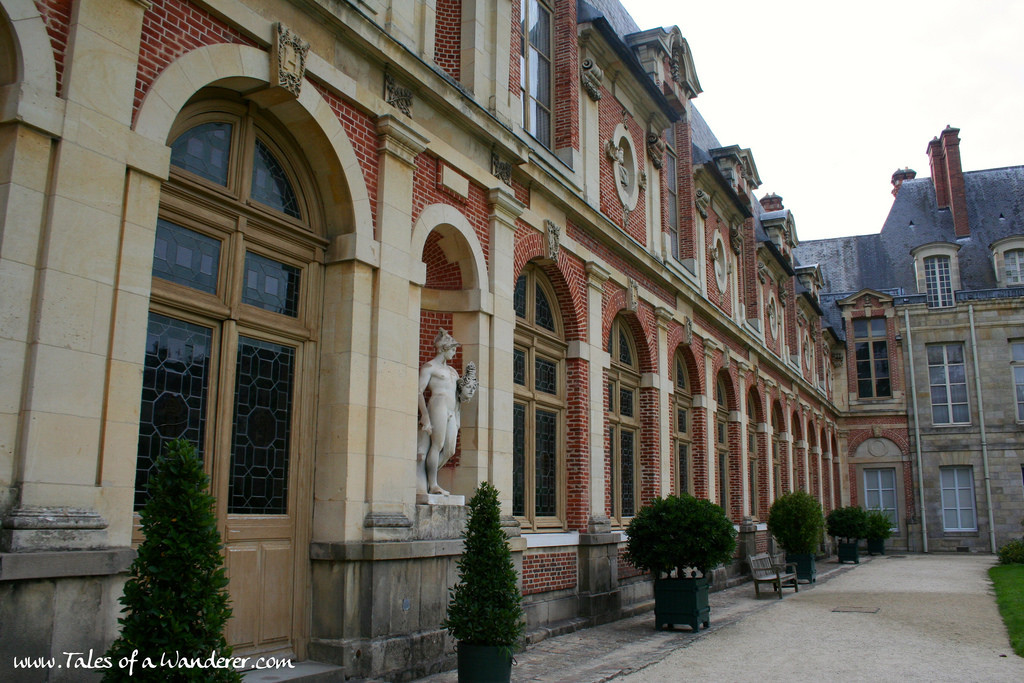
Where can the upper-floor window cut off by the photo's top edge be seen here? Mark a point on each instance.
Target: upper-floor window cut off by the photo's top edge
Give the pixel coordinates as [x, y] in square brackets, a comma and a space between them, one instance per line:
[535, 70]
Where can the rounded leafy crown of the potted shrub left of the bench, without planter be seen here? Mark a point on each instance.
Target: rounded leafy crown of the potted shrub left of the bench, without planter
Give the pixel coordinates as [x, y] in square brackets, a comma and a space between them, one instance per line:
[679, 533]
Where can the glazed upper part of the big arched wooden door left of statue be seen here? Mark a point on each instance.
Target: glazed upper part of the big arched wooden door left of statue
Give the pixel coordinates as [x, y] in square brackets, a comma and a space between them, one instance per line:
[228, 320]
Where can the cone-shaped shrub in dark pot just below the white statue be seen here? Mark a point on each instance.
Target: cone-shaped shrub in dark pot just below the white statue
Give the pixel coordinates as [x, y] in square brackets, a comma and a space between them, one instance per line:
[485, 614]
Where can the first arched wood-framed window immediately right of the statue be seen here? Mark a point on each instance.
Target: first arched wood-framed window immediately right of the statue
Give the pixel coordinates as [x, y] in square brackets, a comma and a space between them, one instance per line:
[539, 407]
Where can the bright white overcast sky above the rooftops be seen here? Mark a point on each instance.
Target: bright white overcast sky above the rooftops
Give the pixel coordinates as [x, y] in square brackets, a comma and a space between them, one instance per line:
[833, 98]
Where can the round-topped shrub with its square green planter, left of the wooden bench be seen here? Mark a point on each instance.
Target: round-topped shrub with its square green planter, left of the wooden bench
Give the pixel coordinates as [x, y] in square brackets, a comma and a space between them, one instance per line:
[676, 539]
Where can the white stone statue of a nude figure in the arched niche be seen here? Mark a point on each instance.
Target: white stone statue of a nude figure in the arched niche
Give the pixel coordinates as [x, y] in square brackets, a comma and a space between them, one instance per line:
[442, 418]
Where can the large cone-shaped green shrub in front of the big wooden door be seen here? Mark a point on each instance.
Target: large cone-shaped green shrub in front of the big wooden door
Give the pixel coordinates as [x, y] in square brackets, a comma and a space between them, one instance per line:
[176, 601]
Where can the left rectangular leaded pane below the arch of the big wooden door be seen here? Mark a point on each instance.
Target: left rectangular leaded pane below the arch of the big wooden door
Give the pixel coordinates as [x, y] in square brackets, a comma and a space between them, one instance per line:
[186, 258]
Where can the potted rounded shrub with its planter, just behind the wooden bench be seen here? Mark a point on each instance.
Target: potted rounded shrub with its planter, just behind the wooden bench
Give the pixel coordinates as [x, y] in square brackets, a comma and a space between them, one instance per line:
[797, 523]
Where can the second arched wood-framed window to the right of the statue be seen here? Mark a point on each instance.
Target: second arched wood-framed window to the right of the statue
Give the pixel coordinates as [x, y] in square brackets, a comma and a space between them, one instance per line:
[624, 421]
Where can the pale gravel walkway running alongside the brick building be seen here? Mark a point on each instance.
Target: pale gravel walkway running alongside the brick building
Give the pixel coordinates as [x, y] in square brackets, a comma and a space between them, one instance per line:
[901, 617]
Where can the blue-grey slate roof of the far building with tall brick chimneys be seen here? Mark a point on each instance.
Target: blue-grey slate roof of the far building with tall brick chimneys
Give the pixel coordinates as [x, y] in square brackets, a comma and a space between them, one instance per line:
[996, 210]
